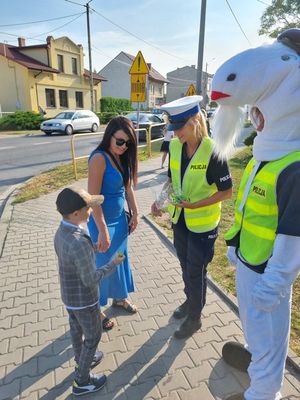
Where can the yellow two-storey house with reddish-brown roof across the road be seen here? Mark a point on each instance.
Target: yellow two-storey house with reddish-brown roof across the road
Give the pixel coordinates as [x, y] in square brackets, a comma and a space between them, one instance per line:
[49, 77]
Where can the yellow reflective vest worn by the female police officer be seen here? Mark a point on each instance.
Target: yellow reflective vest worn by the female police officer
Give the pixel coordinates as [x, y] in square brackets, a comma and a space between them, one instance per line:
[194, 187]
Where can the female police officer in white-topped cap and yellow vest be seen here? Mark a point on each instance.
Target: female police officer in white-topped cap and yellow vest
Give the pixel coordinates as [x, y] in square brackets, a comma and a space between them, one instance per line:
[200, 182]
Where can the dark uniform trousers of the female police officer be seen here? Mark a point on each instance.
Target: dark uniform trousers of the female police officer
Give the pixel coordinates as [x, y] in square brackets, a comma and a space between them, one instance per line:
[195, 251]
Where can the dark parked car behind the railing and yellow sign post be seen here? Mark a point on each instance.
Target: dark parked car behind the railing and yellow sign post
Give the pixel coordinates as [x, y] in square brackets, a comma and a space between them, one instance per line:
[145, 121]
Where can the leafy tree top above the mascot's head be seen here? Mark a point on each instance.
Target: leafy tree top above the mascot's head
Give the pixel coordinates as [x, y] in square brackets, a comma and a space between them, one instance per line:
[280, 15]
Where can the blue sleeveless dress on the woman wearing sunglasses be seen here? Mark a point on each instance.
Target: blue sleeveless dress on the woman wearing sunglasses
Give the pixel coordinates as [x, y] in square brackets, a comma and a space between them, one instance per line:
[120, 283]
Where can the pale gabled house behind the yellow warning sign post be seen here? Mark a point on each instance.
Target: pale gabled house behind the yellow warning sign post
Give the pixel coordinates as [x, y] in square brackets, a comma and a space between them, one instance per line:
[118, 81]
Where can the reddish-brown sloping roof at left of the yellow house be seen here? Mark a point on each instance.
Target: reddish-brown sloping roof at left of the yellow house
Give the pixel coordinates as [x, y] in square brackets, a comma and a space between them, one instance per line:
[13, 53]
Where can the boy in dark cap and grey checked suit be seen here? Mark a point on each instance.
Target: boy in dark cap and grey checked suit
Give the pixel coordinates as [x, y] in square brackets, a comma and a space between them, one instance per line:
[79, 281]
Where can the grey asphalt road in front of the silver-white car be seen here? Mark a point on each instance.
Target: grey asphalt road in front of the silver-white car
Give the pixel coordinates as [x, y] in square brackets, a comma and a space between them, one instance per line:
[25, 156]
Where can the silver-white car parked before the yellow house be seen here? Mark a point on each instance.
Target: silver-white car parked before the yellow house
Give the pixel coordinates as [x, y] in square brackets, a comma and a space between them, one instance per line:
[71, 121]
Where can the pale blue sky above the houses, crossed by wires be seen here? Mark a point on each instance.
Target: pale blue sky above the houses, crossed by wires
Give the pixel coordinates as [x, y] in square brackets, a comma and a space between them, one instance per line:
[165, 31]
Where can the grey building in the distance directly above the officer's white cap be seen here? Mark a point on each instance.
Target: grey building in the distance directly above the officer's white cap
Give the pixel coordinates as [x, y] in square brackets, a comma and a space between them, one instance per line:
[181, 78]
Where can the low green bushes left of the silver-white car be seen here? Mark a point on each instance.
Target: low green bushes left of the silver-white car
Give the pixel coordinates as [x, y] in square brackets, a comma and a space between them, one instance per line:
[21, 120]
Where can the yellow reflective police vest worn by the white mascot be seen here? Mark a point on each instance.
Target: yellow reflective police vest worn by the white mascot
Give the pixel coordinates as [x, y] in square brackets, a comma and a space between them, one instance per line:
[255, 226]
